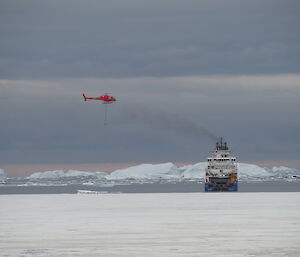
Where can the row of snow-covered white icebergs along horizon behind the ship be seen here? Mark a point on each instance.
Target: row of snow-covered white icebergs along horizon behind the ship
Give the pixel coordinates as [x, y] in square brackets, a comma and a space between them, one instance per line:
[169, 171]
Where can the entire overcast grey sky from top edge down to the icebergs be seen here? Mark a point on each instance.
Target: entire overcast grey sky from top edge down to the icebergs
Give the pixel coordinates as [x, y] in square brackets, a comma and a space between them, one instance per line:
[180, 70]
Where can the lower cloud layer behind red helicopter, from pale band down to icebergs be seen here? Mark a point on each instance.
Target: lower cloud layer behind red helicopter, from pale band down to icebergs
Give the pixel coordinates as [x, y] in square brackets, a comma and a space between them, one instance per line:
[154, 119]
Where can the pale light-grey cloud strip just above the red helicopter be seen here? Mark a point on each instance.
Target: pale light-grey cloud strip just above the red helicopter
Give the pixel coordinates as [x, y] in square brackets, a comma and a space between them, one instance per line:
[274, 83]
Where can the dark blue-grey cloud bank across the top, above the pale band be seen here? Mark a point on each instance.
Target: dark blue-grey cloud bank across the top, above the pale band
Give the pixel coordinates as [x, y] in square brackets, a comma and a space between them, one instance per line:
[132, 38]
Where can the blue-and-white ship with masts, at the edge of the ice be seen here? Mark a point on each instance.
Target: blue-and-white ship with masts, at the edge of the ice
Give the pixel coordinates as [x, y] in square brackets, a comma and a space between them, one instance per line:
[221, 171]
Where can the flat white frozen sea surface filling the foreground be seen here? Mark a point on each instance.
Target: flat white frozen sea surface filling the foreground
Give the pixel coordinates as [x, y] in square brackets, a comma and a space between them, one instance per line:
[184, 224]
